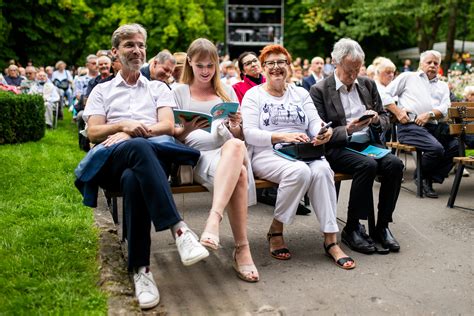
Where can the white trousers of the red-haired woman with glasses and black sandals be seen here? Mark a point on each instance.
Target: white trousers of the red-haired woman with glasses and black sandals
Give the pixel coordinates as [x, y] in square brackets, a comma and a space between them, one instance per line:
[295, 178]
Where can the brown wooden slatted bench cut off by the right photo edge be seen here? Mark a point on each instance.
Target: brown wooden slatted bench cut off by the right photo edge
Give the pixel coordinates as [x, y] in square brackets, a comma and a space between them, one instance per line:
[461, 123]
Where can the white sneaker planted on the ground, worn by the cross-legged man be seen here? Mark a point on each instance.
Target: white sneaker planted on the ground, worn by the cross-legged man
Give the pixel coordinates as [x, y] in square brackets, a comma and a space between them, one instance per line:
[145, 289]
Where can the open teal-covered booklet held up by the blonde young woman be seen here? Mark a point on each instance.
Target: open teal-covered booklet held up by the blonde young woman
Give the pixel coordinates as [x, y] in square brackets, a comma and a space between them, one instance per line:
[218, 111]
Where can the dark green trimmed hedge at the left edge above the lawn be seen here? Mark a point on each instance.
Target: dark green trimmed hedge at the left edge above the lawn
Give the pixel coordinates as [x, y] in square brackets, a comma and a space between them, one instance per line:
[21, 118]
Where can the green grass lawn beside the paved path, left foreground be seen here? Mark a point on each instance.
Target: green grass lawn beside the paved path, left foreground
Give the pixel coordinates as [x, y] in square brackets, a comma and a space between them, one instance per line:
[48, 241]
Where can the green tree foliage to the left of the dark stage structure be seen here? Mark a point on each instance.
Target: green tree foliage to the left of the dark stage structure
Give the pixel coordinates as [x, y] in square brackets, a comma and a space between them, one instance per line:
[49, 30]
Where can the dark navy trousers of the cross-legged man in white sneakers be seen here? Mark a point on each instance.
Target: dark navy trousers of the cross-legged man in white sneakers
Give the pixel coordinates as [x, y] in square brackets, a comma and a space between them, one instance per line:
[134, 169]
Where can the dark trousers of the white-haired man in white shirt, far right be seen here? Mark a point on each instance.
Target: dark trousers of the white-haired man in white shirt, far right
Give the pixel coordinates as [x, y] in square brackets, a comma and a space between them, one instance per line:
[437, 145]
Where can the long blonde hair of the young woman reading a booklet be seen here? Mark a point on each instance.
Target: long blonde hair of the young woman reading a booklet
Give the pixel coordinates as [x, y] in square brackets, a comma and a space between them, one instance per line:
[201, 48]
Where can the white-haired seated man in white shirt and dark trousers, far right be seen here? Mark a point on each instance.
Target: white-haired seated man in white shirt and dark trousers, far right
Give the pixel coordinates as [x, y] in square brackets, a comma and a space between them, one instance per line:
[422, 101]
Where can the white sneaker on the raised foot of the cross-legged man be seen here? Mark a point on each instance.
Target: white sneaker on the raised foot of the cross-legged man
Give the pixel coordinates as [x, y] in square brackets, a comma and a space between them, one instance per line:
[189, 248]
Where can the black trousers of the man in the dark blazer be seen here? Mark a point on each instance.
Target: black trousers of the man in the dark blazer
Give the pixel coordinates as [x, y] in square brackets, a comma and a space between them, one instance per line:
[363, 170]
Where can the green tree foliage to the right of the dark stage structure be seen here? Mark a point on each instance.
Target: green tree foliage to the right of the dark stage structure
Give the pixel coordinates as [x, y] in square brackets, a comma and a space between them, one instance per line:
[389, 24]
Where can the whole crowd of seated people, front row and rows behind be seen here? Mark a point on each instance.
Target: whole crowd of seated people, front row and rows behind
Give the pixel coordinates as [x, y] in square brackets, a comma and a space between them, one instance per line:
[124, 107]
